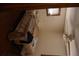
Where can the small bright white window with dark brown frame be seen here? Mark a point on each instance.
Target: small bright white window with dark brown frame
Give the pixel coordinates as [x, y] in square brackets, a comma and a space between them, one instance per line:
[53, 11]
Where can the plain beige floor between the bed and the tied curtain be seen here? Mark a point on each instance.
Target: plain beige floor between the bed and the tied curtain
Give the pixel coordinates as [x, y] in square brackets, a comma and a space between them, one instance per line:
[50, 46]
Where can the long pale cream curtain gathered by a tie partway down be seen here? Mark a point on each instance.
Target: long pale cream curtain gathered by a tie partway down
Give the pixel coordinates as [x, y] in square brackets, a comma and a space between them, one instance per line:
[69, 32]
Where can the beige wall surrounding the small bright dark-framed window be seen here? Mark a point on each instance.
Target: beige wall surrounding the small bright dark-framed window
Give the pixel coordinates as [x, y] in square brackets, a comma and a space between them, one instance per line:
[51, 21]
